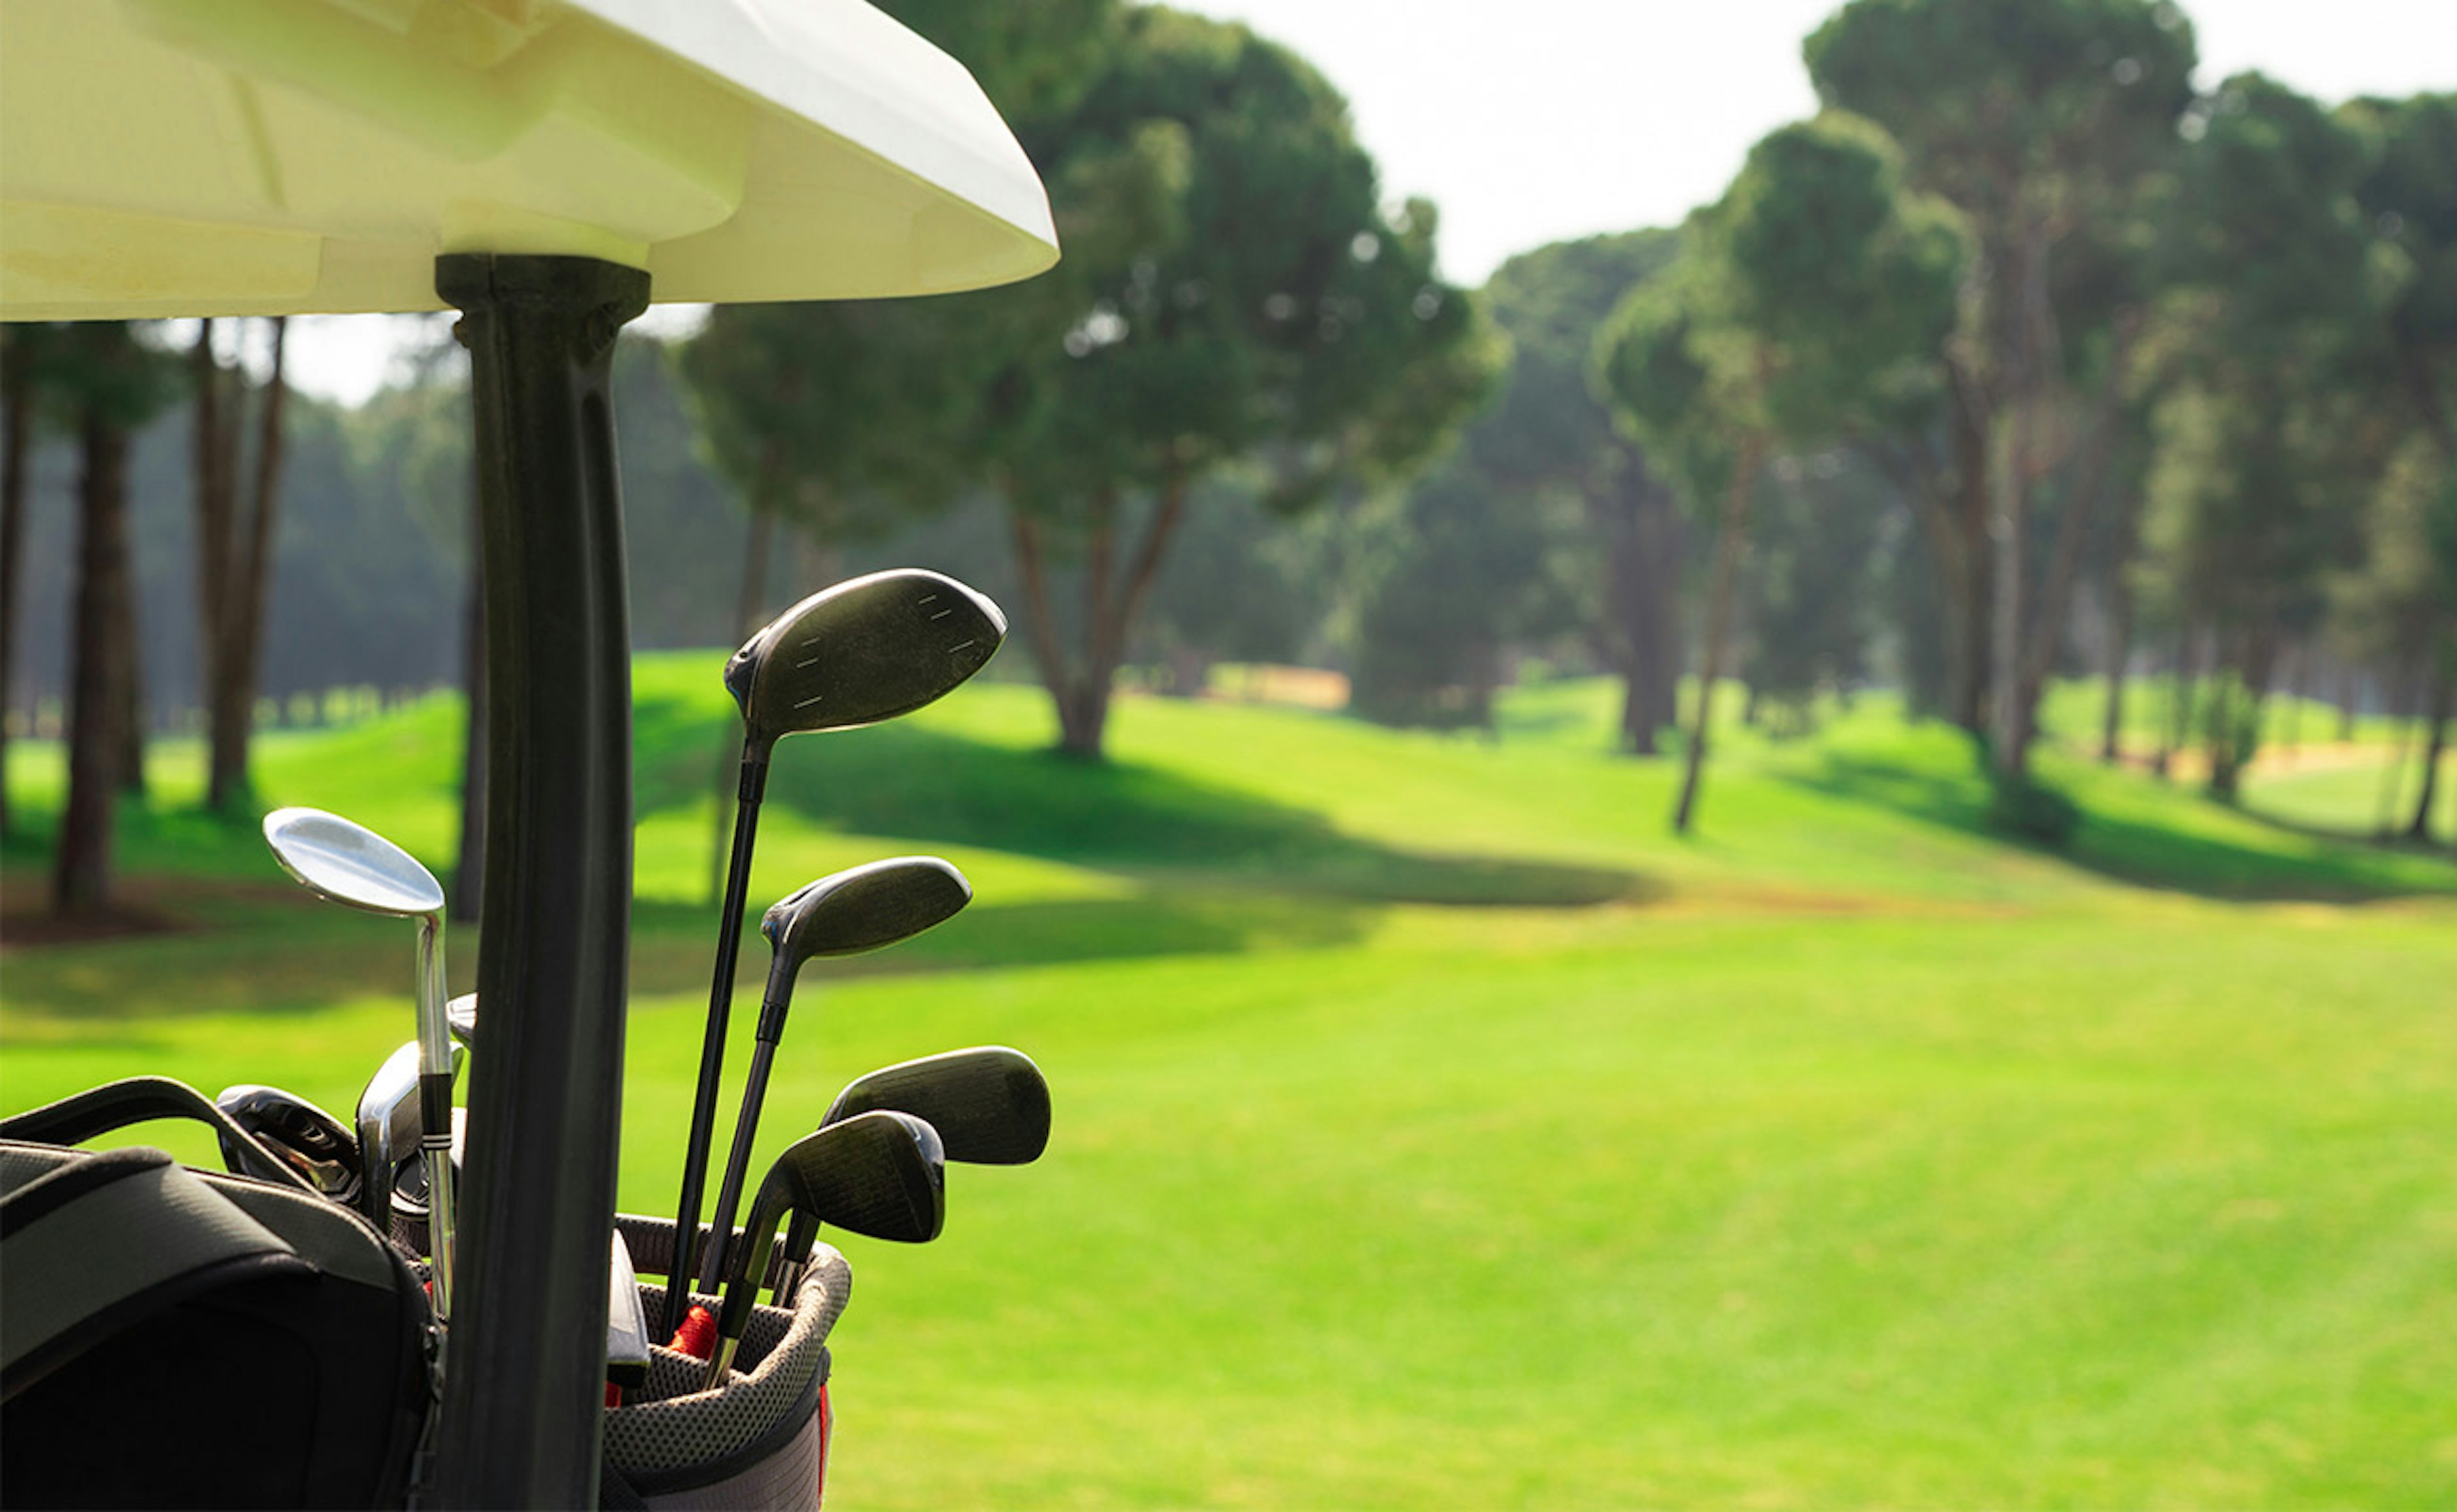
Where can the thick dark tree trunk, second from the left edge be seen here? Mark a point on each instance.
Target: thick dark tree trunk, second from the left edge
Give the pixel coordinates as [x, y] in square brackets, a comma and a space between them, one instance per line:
[100, 675]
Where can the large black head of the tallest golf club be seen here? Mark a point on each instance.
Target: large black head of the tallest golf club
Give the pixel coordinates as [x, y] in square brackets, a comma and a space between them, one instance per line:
[861, 653]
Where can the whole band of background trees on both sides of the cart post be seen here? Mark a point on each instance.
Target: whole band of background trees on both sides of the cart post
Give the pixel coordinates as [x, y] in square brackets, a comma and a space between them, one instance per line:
[2023, 358]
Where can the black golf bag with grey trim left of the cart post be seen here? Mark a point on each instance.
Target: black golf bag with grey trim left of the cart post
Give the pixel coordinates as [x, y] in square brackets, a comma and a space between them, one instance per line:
[186, 1339]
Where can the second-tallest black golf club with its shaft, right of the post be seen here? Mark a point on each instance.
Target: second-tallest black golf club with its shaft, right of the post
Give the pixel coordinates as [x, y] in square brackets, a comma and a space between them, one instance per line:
[839, 916]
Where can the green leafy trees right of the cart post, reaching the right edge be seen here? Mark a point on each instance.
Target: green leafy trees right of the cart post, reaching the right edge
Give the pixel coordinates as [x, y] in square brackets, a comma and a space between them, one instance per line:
[2018, 360]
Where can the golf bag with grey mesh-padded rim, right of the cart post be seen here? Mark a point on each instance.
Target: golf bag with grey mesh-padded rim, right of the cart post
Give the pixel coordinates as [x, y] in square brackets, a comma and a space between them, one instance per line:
[758, 1442]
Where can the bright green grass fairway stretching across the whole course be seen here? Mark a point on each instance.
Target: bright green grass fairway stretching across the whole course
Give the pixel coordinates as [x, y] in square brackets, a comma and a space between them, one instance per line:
[1434, 1130]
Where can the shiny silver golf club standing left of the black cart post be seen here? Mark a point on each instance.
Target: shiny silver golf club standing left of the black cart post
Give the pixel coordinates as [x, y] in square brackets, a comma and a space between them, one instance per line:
[360, 869]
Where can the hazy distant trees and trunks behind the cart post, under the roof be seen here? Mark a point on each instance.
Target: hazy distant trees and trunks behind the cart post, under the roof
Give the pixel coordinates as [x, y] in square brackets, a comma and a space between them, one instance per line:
[213, 554]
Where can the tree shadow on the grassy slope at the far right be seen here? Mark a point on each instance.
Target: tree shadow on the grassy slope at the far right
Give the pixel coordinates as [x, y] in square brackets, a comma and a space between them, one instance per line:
[2139, 852]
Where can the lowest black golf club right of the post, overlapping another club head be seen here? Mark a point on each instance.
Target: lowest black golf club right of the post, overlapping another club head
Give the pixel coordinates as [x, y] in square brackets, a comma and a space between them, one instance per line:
[873, 1174]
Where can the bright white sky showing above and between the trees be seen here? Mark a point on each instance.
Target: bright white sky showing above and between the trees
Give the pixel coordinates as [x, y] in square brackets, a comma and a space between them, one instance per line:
[1552, 119]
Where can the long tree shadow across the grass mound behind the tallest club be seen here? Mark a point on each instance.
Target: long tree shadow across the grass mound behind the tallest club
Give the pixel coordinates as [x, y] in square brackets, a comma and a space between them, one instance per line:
[908, 781]
